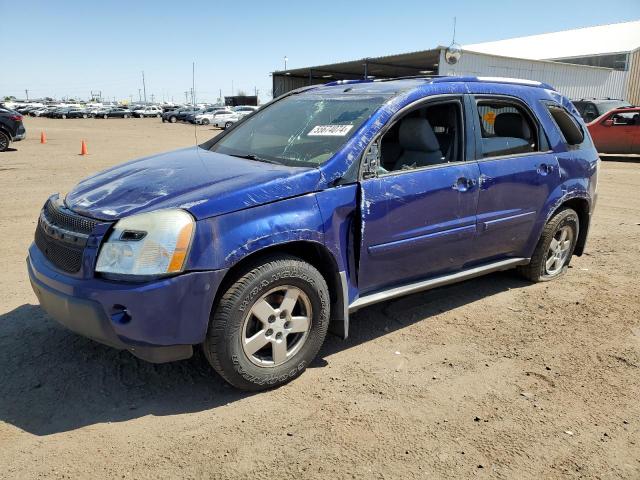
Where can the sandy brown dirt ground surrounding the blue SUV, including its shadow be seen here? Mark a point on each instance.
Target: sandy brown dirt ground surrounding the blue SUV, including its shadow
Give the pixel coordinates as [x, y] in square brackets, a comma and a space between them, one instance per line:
[491, 378]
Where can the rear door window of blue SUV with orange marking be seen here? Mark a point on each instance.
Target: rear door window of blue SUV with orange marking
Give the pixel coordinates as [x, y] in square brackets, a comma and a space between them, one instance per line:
[506, 128]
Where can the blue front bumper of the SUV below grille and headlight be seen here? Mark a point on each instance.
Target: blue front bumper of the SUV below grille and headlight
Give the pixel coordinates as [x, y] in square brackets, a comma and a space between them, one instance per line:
[157, 321]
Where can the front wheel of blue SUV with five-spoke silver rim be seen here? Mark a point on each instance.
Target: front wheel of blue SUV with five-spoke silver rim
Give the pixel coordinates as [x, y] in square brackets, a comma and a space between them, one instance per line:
[269, 325]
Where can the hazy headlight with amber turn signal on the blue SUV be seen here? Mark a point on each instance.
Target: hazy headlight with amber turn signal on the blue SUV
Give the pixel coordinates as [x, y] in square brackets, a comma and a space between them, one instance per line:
[154, 243]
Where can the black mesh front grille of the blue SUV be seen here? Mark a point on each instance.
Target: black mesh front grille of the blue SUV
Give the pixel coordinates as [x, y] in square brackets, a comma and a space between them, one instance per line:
[61, 235]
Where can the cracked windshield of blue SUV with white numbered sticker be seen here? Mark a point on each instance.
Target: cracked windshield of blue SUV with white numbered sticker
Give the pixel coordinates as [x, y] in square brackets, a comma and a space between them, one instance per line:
[300, 130]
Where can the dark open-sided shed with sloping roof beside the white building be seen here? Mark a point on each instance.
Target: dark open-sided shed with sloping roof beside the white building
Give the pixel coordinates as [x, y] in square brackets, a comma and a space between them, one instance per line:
[423, 62]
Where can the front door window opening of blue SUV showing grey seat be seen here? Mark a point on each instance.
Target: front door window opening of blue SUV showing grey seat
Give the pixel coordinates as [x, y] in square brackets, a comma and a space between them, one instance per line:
[427, 136]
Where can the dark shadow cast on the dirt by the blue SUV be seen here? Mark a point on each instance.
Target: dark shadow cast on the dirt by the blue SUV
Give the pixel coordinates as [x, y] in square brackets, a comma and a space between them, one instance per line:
[54, 381]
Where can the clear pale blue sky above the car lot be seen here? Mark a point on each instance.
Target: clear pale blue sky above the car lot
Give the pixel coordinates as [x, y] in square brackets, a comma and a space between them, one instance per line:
[68, 48]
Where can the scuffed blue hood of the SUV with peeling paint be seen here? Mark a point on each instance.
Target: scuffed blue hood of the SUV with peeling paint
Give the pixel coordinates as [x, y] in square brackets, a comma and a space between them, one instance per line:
[203, 182]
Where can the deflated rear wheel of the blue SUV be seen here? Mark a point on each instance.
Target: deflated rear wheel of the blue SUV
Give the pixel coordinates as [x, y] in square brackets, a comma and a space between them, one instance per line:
[555, 248]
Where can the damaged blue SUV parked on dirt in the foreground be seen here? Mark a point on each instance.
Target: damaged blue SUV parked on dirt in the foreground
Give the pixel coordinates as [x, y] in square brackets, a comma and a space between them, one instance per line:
[258, 242]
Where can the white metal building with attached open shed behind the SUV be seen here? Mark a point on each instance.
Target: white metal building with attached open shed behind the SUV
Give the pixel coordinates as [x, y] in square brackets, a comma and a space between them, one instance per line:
[596, 62]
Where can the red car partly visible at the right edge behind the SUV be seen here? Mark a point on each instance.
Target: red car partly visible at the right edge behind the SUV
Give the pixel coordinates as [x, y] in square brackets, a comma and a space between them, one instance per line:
[617, 131]
